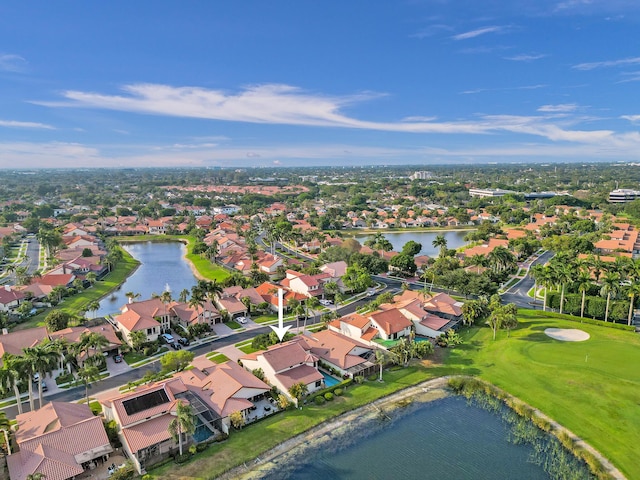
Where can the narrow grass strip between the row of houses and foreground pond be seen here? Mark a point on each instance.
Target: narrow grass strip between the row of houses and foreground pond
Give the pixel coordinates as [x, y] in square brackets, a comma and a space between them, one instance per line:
[256, 439]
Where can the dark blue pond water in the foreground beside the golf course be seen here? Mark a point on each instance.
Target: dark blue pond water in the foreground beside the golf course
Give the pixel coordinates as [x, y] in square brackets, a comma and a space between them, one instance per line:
[442, 439]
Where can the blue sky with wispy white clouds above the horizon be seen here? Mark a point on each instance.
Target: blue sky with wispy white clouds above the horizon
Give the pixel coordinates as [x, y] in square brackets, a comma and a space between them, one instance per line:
[300, 83]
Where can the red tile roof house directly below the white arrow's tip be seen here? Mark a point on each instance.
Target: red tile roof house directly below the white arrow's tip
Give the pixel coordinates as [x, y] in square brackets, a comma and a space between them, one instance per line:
[286, 364]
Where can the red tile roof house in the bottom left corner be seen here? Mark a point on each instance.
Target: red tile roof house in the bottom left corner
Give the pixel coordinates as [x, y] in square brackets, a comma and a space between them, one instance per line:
[60, 440]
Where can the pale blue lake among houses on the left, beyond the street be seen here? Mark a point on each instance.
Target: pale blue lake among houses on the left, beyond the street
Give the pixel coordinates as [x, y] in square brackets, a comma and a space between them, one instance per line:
[162, 265]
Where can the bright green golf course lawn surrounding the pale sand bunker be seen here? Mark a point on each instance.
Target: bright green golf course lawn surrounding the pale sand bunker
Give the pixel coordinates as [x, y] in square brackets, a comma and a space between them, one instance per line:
[589, 387]
